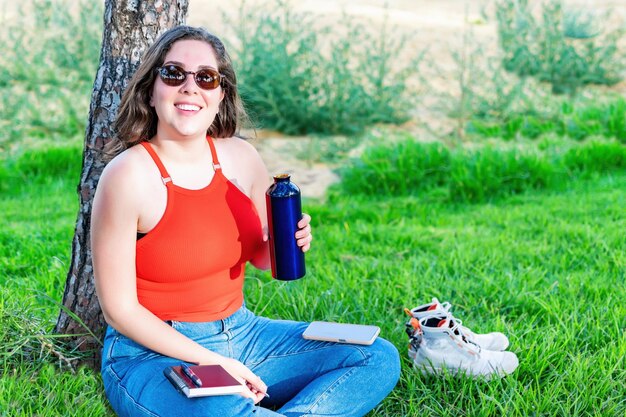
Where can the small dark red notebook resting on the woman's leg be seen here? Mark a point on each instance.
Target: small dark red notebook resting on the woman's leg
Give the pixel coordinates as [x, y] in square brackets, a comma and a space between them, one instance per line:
[214, 379]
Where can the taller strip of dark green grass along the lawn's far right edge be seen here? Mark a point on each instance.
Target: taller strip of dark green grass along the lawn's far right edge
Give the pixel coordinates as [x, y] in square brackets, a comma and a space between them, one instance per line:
[474, 175]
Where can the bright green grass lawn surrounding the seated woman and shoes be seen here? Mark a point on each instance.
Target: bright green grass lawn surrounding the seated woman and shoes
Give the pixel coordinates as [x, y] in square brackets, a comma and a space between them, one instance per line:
[545, 267]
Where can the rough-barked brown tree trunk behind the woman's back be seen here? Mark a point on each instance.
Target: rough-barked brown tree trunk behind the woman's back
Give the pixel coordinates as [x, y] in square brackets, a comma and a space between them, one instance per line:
[129, 27]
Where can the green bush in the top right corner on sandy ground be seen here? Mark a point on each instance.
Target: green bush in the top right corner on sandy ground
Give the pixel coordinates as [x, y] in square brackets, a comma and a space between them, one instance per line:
[562, 48]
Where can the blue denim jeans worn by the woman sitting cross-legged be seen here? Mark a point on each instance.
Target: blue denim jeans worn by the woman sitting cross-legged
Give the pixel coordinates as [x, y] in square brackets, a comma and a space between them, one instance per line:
[304, 377]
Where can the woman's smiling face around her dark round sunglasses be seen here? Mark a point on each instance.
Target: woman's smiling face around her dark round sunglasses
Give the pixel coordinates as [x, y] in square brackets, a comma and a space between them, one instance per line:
[186, 111]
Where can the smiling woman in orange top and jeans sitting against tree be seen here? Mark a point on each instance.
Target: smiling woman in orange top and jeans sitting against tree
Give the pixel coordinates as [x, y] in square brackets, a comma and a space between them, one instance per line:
[176, 217]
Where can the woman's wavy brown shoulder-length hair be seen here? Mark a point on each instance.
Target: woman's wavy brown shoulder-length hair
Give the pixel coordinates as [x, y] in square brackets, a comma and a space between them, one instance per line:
[137, 121]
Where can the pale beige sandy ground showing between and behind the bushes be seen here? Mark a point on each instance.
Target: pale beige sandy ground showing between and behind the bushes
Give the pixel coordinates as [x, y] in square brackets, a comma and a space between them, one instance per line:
[439, 25]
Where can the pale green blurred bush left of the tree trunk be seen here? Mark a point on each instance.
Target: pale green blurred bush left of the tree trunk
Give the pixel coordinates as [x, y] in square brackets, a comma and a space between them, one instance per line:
[48, 61]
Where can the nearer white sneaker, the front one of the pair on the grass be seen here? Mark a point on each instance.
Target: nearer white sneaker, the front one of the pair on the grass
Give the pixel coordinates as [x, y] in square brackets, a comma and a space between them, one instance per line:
[444, 346]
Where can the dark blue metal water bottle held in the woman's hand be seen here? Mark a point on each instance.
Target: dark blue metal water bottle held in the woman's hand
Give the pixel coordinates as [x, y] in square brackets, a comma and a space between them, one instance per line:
[284, 211]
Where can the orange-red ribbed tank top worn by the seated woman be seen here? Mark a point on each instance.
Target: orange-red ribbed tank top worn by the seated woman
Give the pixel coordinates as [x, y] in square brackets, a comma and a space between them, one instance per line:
[191, 265]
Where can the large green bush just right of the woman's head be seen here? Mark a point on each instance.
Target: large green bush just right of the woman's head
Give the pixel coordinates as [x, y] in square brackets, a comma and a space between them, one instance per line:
[294, 79]
